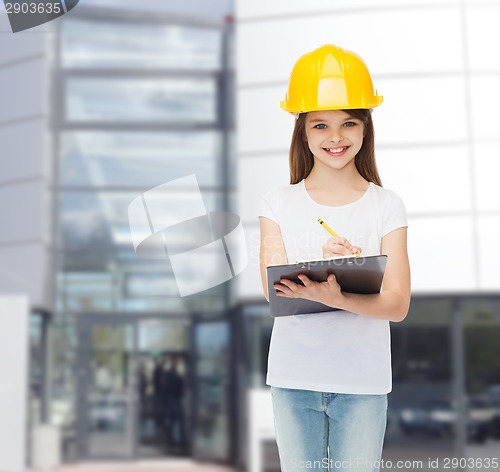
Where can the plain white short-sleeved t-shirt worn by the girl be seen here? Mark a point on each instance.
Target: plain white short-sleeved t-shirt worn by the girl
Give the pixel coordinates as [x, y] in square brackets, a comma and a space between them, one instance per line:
[335, 351]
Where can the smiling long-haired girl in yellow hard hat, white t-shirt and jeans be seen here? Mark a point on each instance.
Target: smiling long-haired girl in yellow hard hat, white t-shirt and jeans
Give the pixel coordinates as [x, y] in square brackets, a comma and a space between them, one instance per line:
[330, 372]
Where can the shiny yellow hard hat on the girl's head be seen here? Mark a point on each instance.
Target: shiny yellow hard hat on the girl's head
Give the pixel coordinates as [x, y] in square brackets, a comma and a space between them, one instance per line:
[330, 78]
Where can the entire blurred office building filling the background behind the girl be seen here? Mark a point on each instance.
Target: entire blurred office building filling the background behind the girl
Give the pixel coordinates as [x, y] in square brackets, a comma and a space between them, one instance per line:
[116, 98]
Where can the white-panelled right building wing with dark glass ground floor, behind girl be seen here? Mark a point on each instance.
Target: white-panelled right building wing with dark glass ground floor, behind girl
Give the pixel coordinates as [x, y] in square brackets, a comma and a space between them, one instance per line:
[437, 146]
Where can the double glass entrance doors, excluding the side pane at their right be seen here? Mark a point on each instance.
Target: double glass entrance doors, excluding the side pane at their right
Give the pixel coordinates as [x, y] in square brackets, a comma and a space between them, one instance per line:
[135, 387]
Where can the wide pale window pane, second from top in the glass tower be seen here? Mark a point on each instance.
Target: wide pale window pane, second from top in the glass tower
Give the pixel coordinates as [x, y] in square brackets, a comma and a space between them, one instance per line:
[184, 100]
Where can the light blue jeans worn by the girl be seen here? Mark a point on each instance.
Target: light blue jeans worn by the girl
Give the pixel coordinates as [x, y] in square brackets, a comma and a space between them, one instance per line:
[318, 431]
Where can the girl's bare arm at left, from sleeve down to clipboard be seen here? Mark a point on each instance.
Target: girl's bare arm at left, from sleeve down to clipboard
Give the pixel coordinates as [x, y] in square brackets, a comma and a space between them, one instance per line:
[272, 249]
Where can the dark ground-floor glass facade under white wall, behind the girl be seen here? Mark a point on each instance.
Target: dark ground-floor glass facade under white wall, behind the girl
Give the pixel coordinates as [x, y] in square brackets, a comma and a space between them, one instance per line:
[445, 397]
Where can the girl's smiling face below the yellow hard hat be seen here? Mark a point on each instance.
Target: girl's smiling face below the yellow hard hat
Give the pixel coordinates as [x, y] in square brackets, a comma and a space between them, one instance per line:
[334, 137]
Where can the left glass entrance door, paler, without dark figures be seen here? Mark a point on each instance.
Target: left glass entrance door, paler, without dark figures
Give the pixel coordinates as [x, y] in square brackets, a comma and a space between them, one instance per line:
[107, 389]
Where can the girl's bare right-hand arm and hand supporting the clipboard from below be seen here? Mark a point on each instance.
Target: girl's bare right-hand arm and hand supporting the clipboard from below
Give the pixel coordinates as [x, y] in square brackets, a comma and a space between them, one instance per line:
[392, 303]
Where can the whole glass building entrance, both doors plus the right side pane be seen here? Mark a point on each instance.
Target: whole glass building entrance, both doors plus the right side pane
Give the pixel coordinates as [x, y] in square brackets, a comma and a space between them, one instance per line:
[153, 387]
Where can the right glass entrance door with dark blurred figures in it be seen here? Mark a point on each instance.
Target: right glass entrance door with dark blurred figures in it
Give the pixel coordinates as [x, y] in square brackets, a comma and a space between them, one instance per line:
[164, 384]
